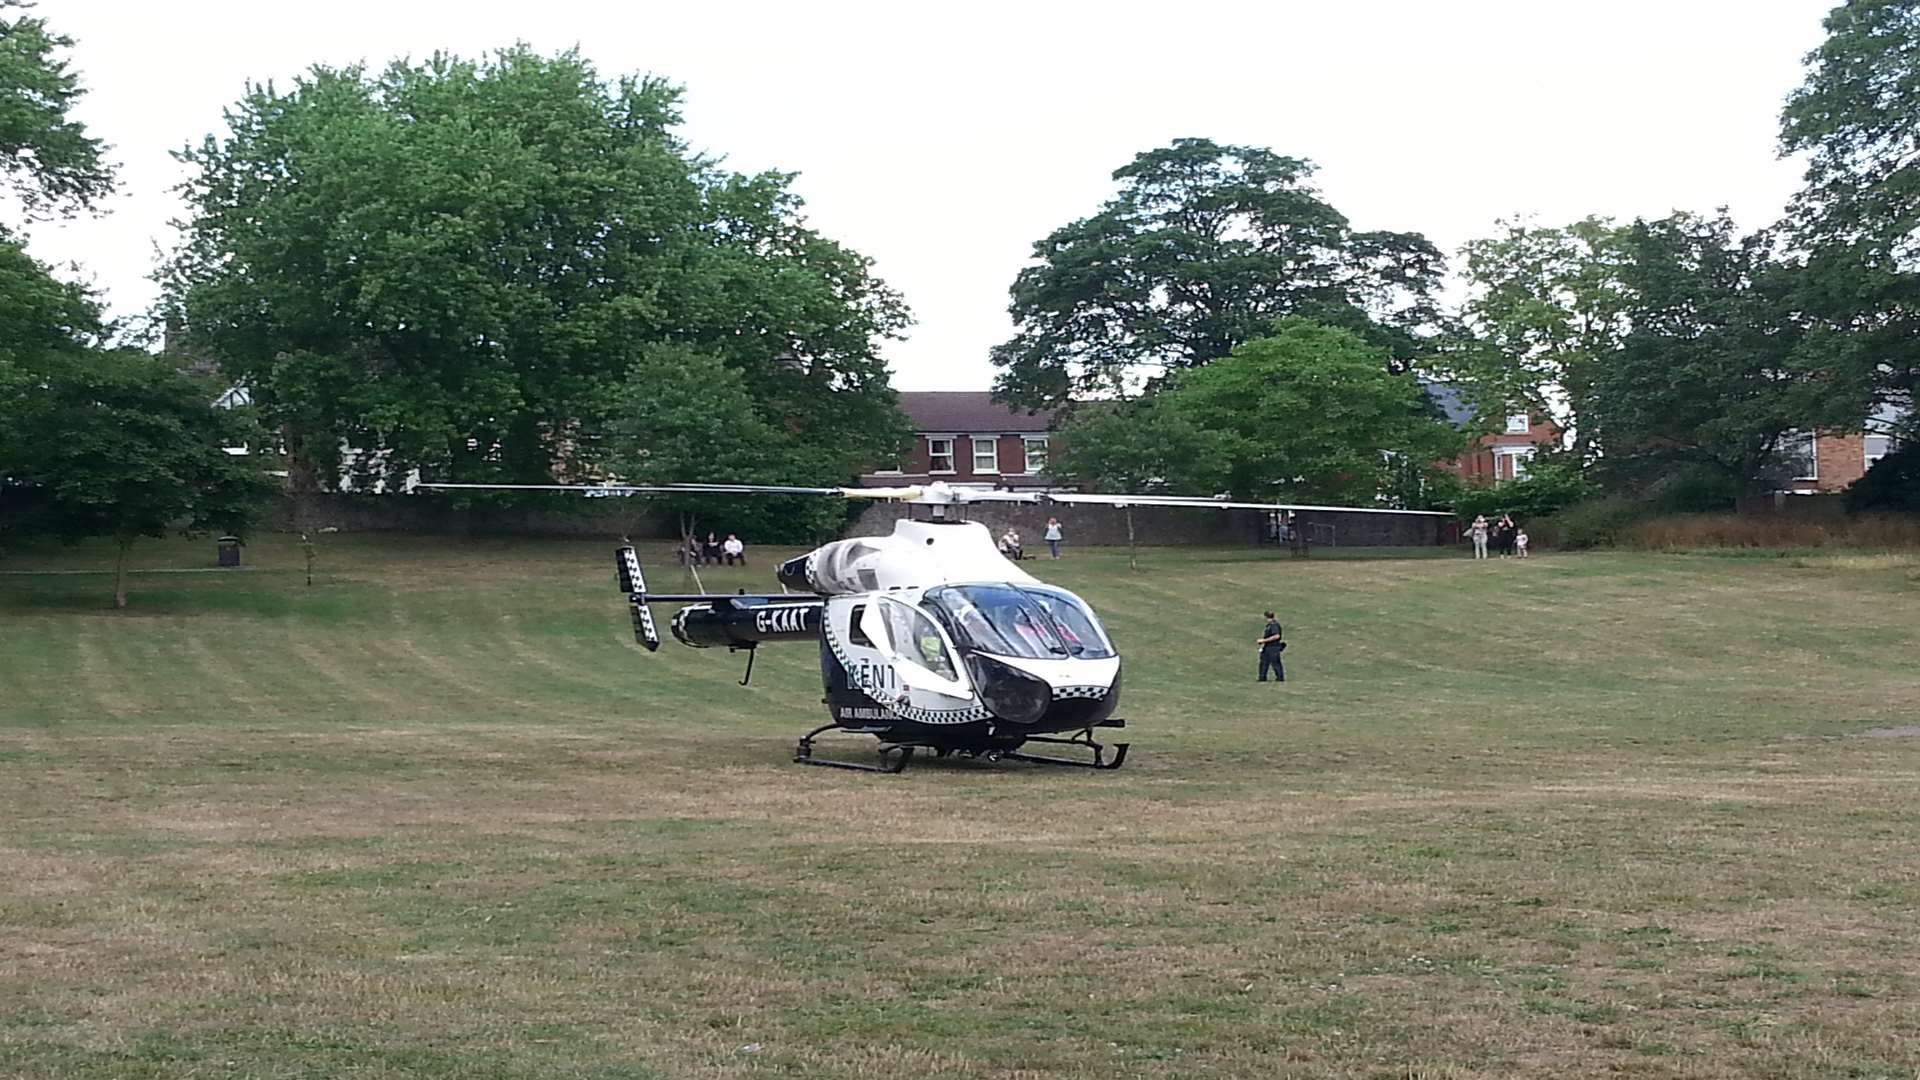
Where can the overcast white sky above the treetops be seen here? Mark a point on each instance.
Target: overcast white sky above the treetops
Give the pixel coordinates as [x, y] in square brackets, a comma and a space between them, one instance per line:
[944, 141]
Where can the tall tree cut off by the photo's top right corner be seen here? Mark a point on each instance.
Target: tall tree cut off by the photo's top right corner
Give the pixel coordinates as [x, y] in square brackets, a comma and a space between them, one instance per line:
[1858, 120]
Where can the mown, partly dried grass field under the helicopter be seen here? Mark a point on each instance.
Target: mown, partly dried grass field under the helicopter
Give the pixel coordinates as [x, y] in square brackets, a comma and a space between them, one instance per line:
[439, 816]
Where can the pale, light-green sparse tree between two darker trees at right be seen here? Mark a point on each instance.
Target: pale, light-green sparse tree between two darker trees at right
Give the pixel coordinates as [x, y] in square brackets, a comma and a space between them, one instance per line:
[1547, 310]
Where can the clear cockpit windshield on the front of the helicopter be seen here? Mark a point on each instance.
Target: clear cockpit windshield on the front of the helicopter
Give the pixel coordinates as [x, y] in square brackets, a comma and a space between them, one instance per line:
[1020, 622]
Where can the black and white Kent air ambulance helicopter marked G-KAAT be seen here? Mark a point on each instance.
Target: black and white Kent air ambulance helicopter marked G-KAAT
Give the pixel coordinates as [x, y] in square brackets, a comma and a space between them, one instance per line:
[930, 637]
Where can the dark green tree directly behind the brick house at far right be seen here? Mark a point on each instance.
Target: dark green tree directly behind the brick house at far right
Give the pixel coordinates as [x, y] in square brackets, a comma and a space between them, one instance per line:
[1721, 364]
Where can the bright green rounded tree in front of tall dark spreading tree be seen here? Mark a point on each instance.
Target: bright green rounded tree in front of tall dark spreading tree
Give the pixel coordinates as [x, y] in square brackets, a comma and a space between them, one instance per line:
[1305, 414]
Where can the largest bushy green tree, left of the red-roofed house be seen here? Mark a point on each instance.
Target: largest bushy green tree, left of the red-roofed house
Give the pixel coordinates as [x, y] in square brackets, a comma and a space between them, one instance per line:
[458, 262]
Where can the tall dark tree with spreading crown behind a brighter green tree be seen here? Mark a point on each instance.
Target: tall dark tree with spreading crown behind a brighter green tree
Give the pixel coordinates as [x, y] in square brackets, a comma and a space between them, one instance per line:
[1203, 249]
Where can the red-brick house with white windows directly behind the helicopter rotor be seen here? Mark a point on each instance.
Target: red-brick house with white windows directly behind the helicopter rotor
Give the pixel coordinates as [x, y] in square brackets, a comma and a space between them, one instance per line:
[965, 437]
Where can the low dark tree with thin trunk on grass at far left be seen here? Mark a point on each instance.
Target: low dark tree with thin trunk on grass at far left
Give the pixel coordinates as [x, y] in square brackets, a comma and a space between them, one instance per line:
[120, 445]
